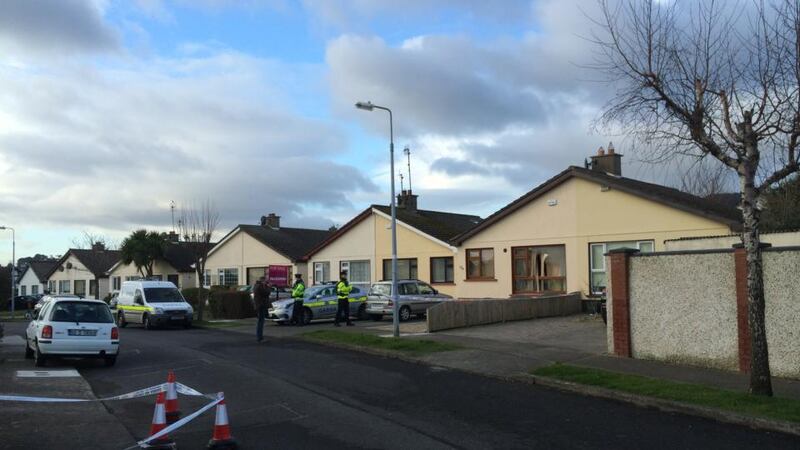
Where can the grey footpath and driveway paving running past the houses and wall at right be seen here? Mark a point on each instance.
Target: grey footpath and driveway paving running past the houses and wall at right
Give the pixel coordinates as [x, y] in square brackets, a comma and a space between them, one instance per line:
[512, 351]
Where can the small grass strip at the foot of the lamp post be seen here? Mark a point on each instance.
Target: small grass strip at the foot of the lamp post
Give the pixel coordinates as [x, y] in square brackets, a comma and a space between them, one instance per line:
[409, 346]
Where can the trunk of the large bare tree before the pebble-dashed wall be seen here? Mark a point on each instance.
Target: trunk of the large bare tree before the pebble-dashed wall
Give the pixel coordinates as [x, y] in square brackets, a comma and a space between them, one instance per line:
[760, 378]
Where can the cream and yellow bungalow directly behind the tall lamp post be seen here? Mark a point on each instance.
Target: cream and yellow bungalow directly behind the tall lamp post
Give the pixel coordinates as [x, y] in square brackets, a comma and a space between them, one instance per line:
[362, 247]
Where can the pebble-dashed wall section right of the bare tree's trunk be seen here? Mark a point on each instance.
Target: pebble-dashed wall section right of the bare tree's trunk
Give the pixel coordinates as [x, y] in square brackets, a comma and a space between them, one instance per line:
[782, 292]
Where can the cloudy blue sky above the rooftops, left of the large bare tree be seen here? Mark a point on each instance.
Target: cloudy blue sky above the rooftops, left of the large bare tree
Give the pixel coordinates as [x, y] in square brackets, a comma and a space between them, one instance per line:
[112, 110]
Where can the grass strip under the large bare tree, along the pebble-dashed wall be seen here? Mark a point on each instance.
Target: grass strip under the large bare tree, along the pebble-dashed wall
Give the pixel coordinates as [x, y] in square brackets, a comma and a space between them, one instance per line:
[695, 394]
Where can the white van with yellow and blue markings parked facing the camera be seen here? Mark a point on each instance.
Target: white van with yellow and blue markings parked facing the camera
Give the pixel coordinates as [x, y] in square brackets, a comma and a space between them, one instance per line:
[152, 303]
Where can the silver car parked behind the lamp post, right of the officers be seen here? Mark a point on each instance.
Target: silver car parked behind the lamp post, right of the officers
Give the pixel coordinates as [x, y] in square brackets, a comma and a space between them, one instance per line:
[414, 296]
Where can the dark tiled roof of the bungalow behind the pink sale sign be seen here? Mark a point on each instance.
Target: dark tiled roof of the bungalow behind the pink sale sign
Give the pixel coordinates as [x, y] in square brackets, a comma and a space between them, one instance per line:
[294, 243]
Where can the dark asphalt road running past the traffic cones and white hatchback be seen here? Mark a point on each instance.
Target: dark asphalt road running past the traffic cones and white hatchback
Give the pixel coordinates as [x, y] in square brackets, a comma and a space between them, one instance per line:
[290, 395]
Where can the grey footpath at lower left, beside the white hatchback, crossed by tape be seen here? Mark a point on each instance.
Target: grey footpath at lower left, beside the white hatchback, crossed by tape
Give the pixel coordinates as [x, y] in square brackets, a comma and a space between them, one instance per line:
[79, 425]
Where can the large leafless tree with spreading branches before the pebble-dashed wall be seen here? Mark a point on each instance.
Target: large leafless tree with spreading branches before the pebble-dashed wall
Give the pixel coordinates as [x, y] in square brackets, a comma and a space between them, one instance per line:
[719, 79]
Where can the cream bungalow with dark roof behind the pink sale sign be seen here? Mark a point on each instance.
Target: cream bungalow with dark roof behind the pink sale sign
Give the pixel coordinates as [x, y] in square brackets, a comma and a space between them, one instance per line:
[244, 254]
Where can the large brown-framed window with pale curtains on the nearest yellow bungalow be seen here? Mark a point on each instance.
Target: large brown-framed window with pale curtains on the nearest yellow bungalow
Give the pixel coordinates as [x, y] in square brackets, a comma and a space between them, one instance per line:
[539, 269]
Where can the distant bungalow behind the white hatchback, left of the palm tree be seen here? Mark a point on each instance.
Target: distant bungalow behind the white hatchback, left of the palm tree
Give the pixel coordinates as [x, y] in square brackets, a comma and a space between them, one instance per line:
[83, 272]
